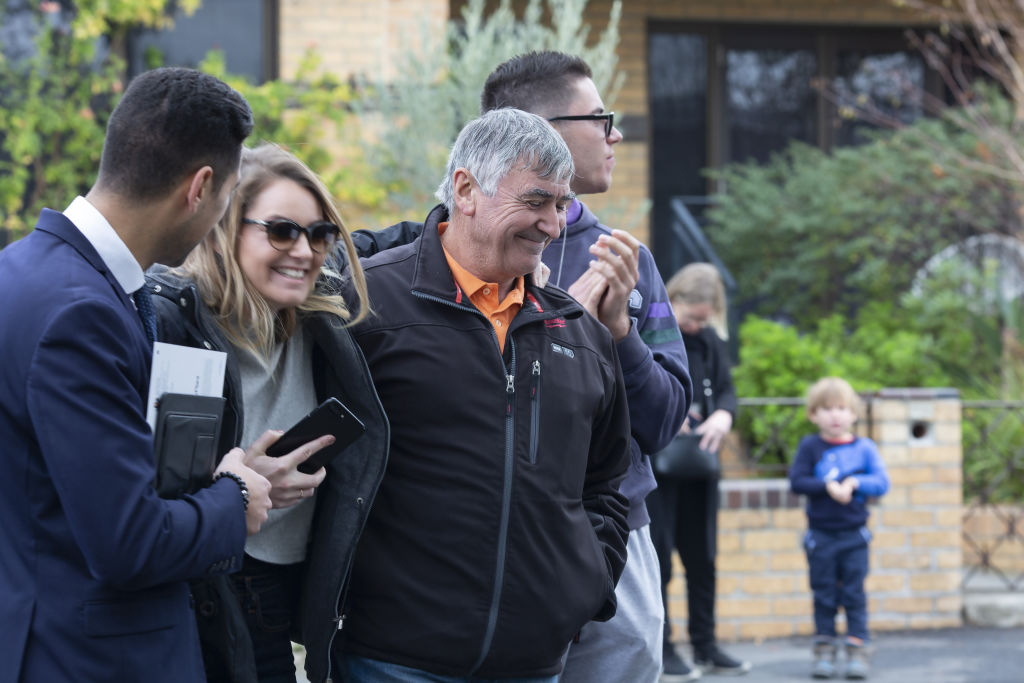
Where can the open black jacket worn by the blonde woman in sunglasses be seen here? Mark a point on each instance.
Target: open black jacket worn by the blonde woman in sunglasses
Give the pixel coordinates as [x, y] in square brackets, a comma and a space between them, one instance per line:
[345, 499]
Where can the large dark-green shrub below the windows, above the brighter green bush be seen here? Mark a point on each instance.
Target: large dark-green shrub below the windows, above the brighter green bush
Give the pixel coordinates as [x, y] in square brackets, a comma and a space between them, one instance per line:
[856, 225]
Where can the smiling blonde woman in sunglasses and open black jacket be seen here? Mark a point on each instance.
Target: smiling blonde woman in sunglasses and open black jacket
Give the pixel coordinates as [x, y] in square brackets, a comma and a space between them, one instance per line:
[259, 289]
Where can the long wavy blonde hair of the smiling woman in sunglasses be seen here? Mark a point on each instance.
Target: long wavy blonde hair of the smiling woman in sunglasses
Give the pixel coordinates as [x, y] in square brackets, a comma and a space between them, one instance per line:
[242, 312]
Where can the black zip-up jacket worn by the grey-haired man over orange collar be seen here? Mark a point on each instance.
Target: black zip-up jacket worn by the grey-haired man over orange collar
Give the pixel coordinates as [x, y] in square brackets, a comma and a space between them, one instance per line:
[499, 531]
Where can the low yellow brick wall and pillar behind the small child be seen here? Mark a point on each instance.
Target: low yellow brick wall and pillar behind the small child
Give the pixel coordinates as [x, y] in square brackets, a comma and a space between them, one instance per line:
[917, 560]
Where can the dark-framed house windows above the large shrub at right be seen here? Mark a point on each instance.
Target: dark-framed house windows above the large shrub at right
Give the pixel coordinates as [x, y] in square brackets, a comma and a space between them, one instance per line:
[722, 94]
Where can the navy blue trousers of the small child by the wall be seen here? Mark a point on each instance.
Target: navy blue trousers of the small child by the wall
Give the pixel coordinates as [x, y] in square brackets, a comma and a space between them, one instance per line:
[838, 563]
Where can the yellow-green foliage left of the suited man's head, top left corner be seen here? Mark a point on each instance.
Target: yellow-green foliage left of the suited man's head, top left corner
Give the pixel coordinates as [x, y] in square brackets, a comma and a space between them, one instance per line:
[57, 92]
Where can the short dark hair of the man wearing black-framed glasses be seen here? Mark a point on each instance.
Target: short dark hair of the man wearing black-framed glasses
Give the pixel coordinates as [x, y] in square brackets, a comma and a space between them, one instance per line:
[536, 82]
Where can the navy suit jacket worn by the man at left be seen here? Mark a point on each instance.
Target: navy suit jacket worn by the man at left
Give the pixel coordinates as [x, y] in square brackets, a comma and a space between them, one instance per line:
[93, 564]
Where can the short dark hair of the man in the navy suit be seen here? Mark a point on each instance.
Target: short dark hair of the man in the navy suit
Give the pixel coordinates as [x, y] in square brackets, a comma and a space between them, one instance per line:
[170, 123]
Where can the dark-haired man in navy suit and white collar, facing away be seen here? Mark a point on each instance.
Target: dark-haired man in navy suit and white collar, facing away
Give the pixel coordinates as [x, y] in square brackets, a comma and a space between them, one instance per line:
[94, 566]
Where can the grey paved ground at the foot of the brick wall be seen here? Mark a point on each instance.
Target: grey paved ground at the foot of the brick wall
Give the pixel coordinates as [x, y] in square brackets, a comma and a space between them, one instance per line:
[969, 655]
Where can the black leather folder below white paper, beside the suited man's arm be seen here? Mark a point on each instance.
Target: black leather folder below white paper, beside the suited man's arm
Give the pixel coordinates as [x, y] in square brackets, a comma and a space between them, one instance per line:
[186, 443]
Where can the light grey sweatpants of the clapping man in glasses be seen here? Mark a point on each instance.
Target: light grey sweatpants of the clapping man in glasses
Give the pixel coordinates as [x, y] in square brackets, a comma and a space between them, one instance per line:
[627, 649]
